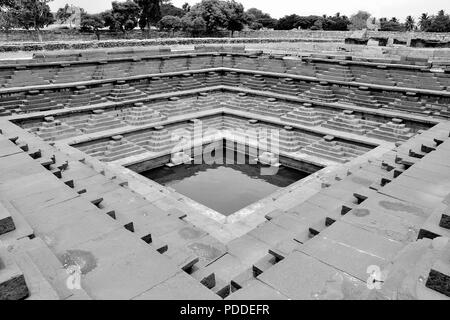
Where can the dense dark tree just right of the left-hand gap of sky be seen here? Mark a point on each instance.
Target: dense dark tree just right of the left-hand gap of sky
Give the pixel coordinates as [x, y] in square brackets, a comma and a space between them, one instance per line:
[124, 16]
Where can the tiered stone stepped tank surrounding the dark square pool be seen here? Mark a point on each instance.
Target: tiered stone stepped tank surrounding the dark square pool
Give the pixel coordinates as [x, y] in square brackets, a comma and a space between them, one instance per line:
[77, 221]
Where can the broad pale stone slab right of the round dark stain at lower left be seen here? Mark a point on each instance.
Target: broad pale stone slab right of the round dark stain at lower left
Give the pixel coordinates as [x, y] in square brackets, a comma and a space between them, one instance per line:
[119, 266]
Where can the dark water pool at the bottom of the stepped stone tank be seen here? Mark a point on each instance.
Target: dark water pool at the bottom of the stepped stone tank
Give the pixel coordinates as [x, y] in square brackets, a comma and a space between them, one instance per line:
[224, 188]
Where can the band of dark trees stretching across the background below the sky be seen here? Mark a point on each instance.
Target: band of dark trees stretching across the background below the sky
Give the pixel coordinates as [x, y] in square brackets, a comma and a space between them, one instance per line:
[205, 17]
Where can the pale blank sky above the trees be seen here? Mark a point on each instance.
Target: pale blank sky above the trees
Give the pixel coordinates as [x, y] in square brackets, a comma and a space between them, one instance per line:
[279, 8]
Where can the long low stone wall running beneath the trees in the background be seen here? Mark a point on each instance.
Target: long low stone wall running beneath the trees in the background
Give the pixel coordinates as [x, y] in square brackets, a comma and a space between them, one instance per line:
[73, 35]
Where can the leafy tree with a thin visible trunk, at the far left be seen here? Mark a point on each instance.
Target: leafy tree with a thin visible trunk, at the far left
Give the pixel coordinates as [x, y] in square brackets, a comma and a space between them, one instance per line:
[34, 14]
